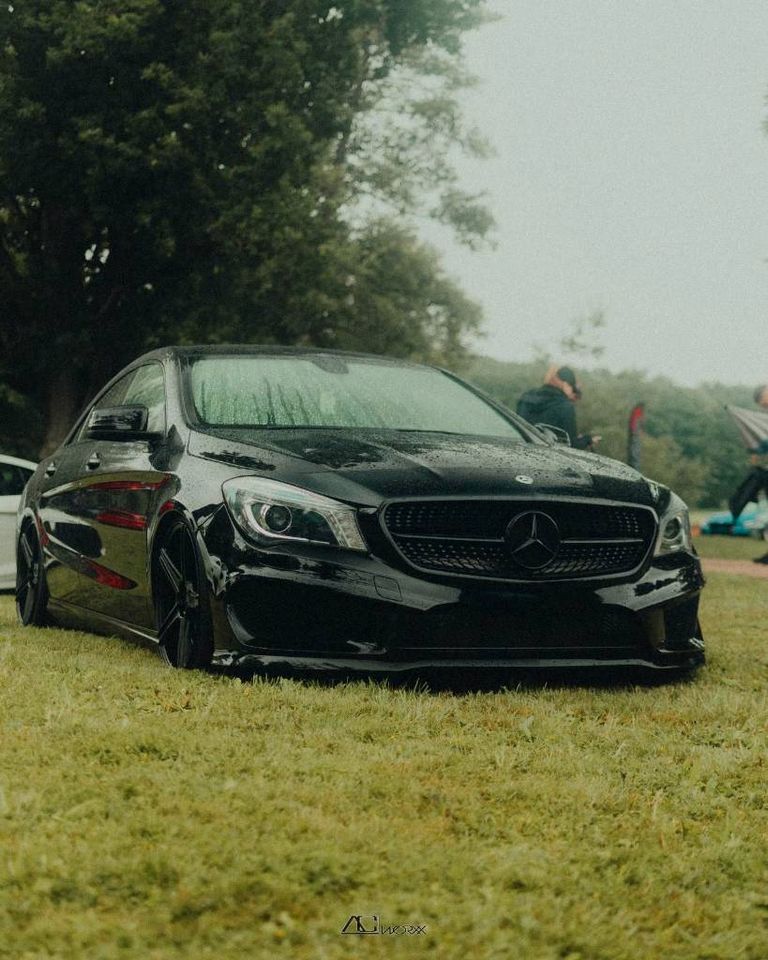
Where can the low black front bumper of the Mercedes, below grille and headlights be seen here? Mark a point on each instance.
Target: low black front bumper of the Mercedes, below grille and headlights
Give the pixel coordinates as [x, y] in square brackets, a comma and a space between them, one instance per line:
[342, 612]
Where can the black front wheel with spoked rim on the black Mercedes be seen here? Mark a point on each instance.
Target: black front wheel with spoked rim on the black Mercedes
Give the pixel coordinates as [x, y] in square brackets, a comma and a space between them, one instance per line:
[182, 604]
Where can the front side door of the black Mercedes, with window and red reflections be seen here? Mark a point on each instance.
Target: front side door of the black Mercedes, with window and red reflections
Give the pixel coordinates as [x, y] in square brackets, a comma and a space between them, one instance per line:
[121, 484]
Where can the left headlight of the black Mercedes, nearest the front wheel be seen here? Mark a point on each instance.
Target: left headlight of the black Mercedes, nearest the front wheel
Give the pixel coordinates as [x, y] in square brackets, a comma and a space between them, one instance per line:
[270, 512]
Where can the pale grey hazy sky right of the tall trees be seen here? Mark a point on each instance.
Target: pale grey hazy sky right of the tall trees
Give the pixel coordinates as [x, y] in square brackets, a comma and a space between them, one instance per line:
[631, 174]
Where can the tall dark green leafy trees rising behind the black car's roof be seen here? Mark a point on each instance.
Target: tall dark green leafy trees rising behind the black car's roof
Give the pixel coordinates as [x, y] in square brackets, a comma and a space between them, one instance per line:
[173, 171]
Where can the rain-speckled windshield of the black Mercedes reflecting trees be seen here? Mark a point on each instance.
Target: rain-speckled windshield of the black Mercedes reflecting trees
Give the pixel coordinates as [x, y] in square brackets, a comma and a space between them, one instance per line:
[330, 391]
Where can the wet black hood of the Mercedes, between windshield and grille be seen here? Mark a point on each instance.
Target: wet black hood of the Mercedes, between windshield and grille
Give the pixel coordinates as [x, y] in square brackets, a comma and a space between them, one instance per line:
[366, 467]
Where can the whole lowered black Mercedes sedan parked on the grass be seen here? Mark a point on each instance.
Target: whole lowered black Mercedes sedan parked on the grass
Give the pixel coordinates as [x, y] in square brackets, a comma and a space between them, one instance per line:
[299, 509]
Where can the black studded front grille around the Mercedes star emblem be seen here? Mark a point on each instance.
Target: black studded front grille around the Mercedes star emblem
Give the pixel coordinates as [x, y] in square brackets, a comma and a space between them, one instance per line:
[470, 538]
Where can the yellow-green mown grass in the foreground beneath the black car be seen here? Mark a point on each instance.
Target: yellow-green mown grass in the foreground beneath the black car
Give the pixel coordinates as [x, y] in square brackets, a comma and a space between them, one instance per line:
[151, 814]
